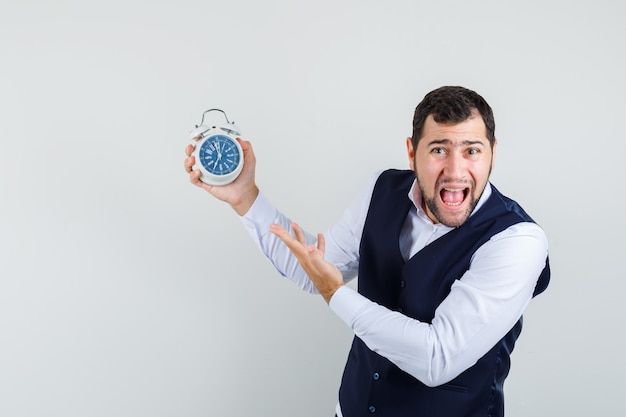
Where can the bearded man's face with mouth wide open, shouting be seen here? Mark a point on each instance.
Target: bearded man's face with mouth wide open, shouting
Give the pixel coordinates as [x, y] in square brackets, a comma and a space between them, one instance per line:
[452, 164]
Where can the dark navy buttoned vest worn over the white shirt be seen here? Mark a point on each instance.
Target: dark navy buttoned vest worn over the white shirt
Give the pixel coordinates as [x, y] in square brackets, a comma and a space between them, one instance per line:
[371, 384]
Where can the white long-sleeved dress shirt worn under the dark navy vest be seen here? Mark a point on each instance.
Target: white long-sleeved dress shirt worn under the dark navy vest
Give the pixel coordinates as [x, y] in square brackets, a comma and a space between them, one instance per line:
[483, 305]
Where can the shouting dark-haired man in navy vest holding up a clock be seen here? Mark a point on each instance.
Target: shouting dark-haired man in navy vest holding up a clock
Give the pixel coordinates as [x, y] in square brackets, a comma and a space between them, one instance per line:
[446, 267]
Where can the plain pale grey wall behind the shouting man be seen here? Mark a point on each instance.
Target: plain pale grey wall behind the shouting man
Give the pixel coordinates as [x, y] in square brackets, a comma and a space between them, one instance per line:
[126, 291]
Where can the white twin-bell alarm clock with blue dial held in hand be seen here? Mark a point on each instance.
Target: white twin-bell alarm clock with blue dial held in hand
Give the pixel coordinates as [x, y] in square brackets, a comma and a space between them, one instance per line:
[217, 153]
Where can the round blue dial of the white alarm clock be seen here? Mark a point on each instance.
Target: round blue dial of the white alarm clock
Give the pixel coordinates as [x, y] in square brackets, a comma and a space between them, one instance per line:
[219, 155]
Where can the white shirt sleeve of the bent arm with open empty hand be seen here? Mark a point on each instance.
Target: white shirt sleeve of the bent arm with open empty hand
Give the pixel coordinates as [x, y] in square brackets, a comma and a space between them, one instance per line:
[483, 305]
